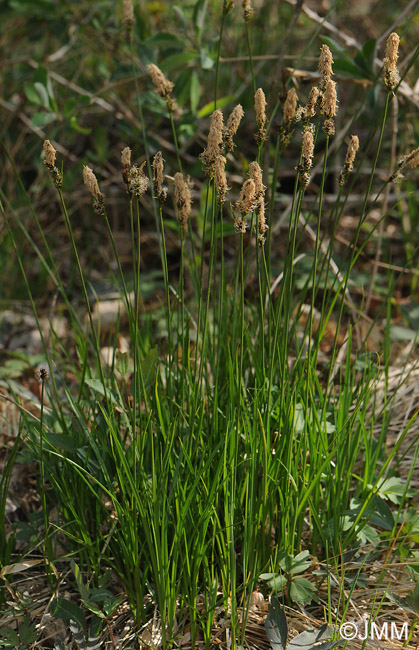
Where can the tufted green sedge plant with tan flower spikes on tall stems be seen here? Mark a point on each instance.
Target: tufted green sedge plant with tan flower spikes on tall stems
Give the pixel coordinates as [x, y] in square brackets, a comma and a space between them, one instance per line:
[198, 460]
